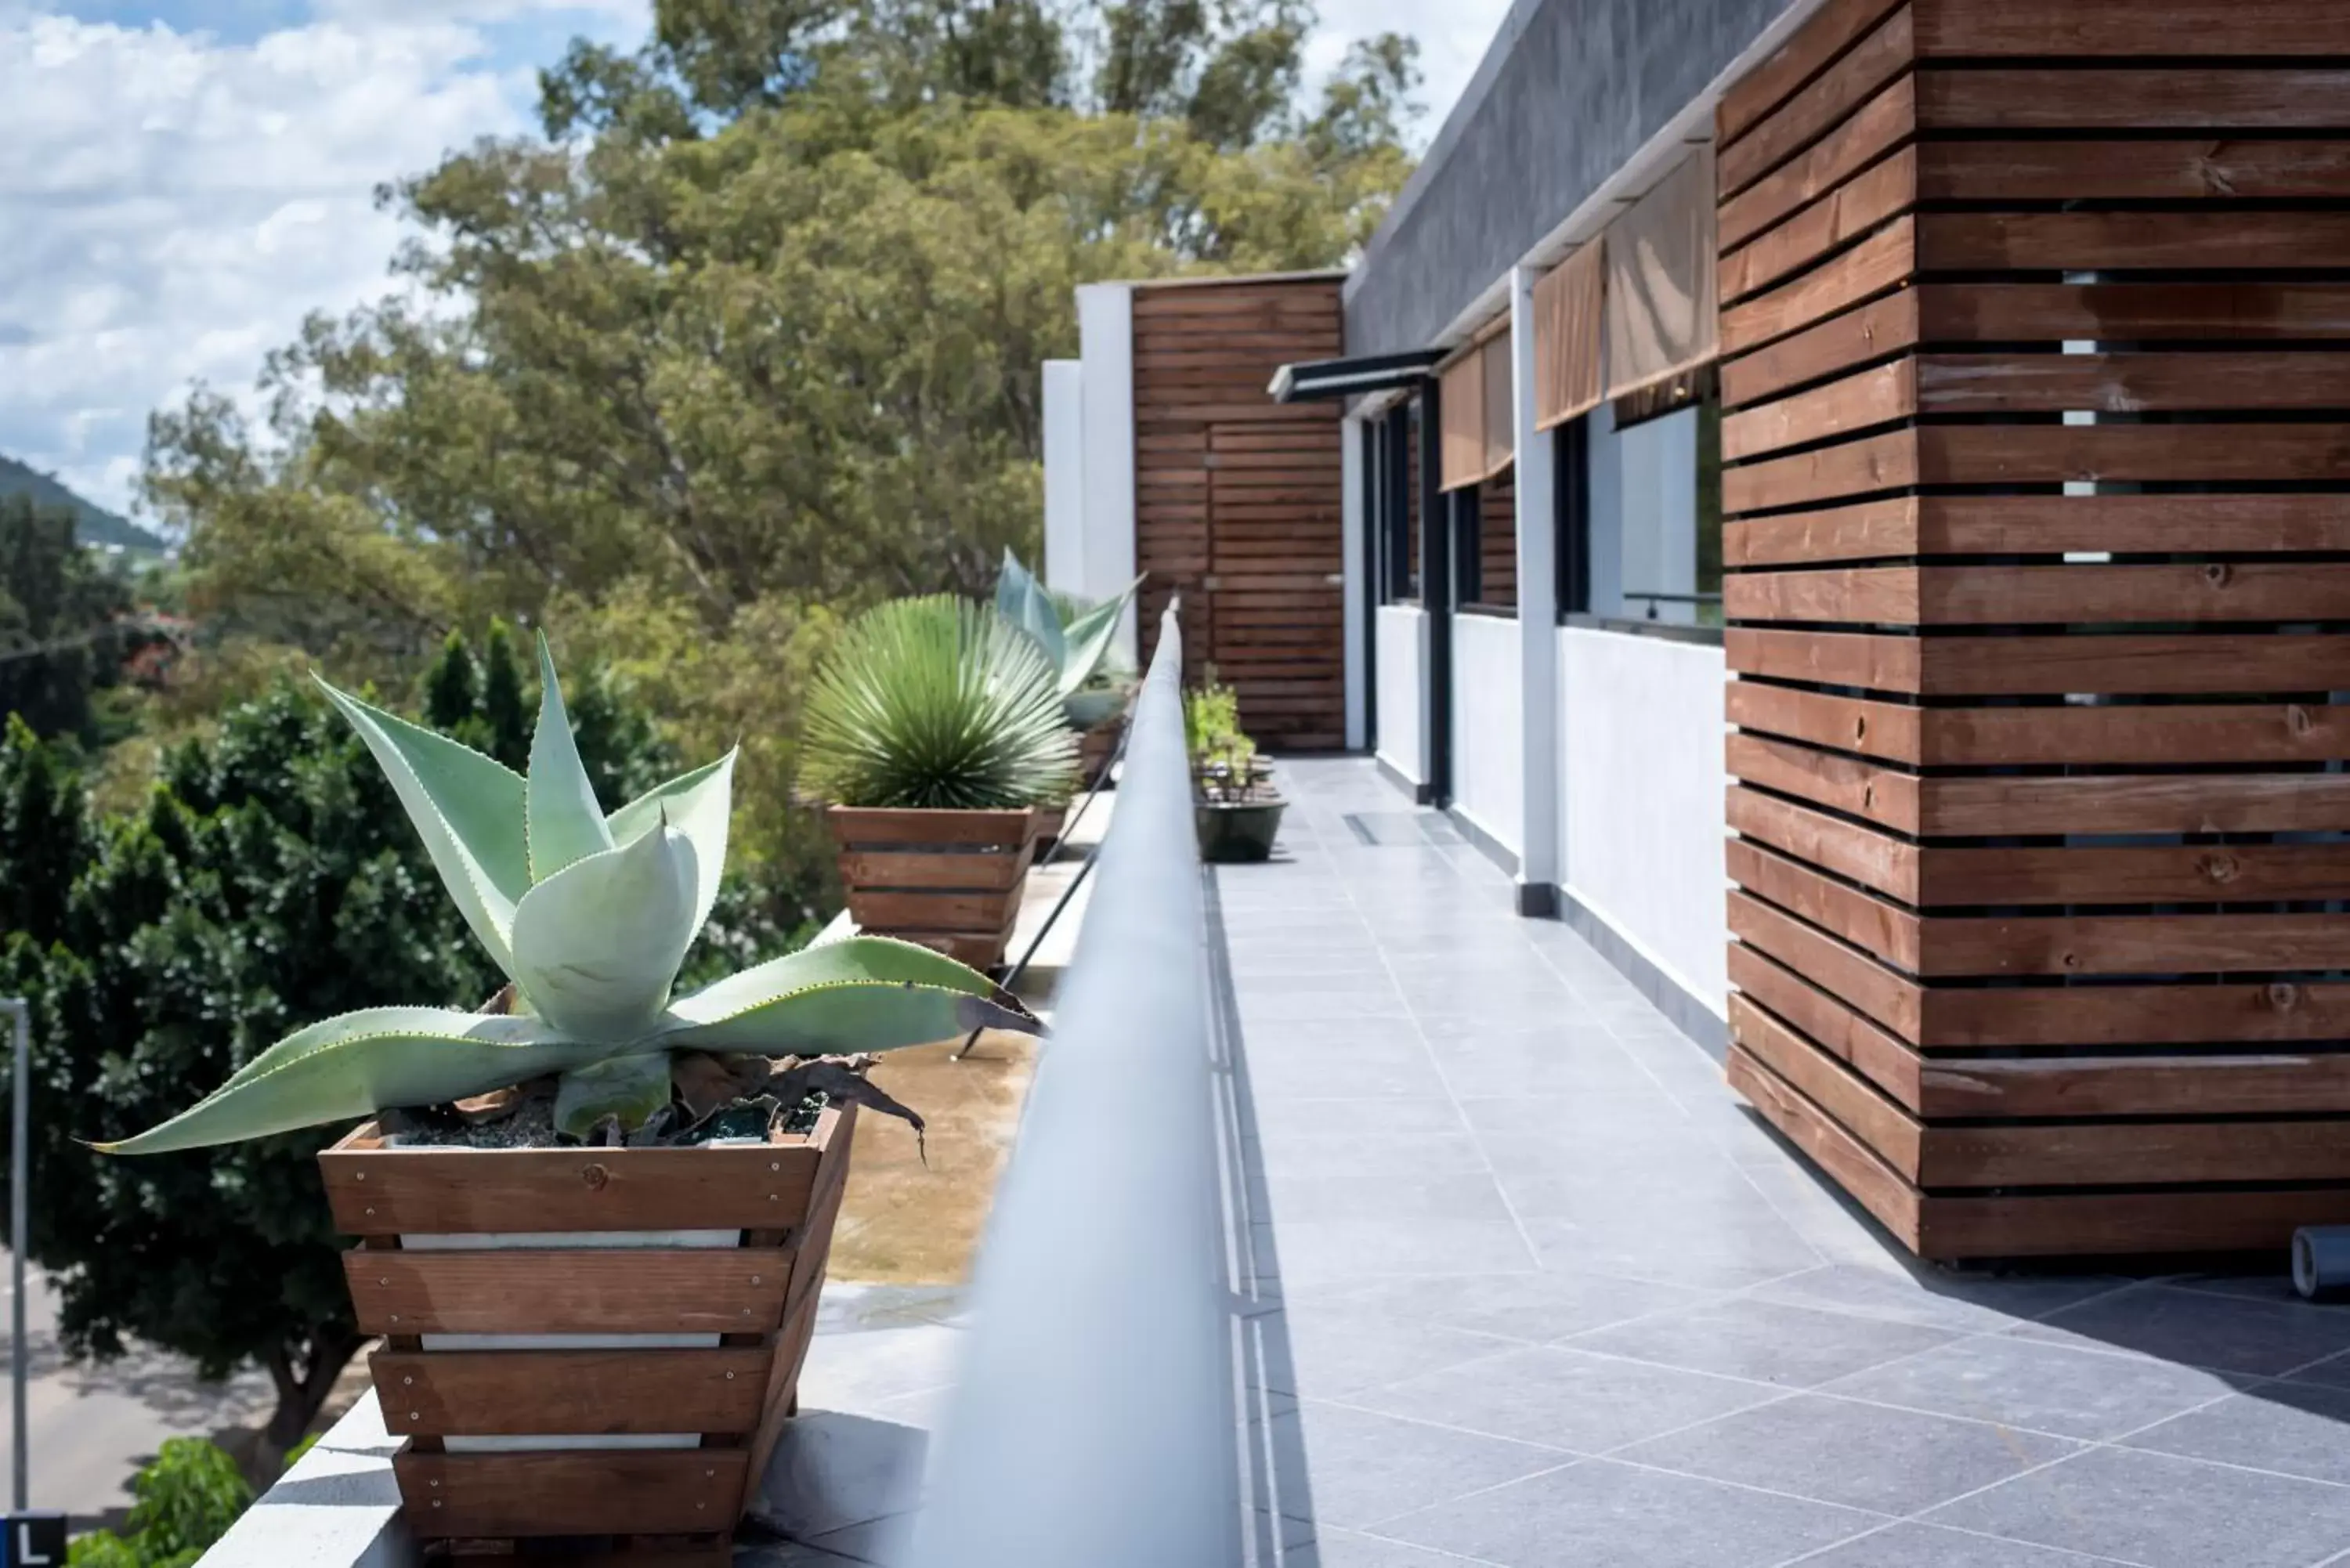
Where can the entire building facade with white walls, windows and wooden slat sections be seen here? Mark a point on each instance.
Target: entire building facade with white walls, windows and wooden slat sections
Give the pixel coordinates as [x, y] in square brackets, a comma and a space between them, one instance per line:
[1851, 502]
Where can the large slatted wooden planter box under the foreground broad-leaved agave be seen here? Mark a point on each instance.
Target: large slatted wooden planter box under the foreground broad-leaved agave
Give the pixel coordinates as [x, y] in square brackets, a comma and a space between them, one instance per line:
[589, 1343]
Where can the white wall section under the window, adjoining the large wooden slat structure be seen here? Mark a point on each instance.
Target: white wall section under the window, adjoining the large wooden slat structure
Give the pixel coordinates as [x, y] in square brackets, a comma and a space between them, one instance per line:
[1644, 775]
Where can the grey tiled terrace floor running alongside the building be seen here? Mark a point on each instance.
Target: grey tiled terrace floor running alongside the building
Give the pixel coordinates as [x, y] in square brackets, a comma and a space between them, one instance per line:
[1524, 1285]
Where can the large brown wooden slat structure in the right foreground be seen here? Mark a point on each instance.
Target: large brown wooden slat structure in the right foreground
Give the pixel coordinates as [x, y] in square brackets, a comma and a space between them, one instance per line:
[2036, 380]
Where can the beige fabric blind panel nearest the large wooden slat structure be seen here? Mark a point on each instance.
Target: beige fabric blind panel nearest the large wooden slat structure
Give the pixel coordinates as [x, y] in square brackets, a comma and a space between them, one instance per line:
[1663, 309]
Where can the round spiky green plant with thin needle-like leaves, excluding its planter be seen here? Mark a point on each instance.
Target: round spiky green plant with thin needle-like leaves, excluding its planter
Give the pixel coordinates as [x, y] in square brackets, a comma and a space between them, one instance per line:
[936, 704]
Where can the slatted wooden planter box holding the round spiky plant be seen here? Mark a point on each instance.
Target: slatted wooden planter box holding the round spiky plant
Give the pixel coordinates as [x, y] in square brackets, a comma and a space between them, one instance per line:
[946, 880]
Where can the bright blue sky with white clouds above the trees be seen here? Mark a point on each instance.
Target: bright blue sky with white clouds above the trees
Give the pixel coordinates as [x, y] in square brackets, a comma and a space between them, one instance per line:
[184, 180]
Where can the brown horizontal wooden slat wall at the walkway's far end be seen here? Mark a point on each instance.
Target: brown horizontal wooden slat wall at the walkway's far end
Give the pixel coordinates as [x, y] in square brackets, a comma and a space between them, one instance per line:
[1237, 497]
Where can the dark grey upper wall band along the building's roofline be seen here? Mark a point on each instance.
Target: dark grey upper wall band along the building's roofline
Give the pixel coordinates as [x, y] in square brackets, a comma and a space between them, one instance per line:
[1566, 93]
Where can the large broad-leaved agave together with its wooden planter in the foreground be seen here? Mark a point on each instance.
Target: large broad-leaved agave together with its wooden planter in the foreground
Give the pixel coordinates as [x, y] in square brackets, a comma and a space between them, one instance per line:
[593, 1217]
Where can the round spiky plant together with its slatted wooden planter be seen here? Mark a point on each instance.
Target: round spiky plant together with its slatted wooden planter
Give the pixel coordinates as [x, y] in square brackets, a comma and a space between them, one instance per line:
[932, 732]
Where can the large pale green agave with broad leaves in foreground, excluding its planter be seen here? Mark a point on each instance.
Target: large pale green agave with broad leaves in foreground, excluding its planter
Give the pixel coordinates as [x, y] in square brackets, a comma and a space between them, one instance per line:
[589, 916]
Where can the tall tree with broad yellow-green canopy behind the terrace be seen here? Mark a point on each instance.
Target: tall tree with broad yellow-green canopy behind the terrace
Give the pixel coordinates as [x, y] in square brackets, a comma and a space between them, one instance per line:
[753, 337]
